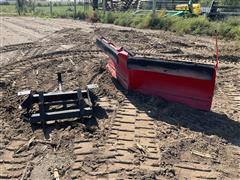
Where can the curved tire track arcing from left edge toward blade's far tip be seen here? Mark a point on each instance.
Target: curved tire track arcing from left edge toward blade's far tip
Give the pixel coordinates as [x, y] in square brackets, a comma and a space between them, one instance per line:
[35, 58]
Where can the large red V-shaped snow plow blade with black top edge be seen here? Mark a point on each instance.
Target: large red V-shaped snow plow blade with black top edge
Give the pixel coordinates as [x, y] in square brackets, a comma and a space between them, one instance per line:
[184, 82]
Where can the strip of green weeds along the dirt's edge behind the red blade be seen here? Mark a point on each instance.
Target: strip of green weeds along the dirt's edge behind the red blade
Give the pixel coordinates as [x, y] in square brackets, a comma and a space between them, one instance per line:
[227, 29]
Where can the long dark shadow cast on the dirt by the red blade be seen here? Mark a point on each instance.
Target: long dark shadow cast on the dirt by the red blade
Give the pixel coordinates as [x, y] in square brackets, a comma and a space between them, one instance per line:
[209, 123]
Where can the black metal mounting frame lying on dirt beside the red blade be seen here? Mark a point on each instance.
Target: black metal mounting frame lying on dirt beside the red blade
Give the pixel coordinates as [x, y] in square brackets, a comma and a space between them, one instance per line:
[57, 105]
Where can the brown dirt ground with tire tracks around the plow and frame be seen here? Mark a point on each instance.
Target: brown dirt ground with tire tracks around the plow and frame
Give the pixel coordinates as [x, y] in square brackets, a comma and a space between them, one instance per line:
[131, 136]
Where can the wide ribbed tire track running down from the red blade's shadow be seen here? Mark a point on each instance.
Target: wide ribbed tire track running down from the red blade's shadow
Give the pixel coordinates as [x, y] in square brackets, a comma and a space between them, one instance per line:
[130, 127]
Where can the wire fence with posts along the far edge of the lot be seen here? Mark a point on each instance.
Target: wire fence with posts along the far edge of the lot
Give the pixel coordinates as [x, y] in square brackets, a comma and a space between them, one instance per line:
[83, 8]
